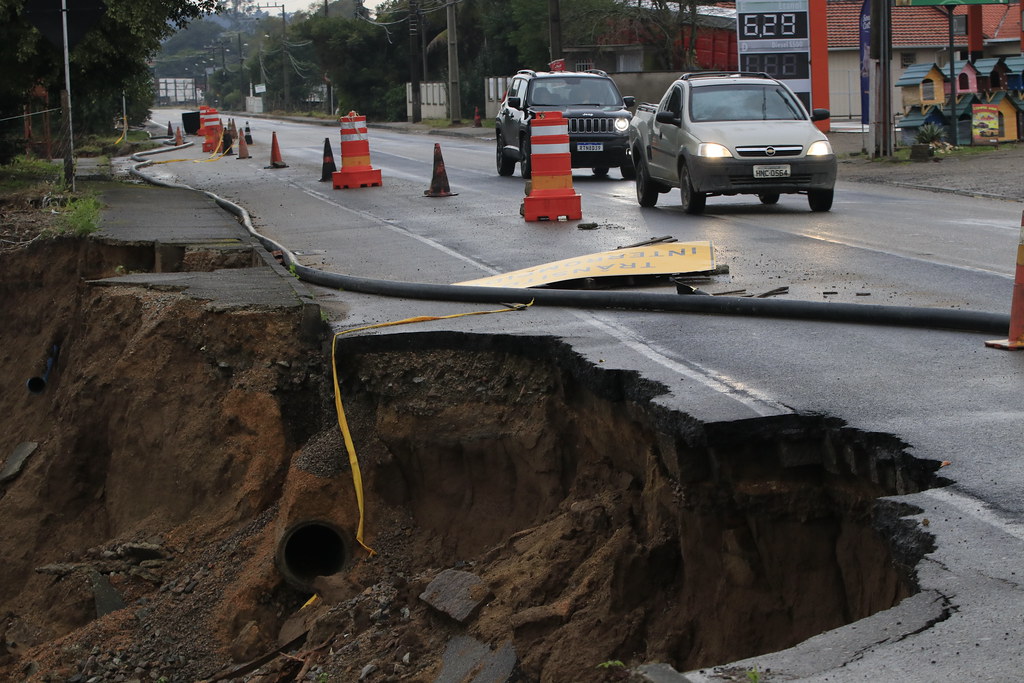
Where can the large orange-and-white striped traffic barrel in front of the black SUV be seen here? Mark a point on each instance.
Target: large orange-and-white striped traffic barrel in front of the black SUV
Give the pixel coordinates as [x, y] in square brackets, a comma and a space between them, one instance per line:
[551, 193]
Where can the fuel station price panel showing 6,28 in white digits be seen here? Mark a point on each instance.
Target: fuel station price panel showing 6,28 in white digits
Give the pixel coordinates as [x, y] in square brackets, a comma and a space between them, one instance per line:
[774, 38]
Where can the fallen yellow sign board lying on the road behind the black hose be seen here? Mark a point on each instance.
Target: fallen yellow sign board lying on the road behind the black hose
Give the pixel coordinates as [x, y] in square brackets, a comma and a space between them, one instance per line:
[660, 260]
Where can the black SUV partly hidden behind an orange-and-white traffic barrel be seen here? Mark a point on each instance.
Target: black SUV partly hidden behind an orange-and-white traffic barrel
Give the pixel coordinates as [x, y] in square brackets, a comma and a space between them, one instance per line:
[598, 116]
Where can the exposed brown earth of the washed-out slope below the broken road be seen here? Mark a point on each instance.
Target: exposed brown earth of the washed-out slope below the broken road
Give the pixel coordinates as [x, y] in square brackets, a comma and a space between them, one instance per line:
[178, 447]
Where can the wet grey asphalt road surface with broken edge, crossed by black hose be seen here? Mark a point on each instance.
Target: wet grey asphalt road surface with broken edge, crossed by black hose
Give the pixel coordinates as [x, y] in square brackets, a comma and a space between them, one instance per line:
[944, 394]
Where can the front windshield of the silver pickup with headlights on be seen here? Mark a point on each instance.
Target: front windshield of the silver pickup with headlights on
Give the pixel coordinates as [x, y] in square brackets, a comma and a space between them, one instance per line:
[744, 103]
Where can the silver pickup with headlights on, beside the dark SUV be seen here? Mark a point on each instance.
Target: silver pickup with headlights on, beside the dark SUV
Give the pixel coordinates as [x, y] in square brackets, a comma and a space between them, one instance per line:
[732, 134]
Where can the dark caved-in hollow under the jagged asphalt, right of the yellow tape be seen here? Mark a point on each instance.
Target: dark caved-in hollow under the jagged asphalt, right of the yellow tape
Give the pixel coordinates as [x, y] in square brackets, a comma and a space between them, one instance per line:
[608, 526]
